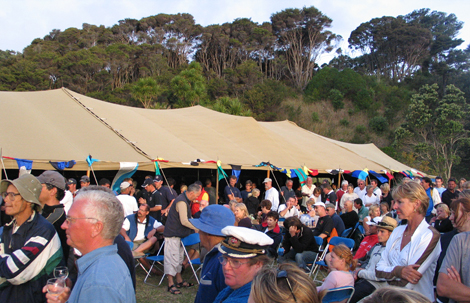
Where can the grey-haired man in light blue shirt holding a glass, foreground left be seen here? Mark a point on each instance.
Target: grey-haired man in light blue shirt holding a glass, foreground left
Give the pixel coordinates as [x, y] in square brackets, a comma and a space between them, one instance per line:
[93, 223]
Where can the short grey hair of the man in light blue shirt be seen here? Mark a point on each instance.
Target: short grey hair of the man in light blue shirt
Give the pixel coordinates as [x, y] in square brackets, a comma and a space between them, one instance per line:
[105, 207]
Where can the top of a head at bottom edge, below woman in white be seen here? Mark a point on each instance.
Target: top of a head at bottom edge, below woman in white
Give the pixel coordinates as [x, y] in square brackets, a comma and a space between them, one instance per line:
[396, 295]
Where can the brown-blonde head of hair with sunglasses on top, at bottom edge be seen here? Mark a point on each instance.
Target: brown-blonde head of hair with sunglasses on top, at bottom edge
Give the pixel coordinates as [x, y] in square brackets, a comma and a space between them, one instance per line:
[285, 284]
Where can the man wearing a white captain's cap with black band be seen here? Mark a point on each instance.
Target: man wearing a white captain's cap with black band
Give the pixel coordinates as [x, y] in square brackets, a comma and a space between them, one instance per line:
[243, 255]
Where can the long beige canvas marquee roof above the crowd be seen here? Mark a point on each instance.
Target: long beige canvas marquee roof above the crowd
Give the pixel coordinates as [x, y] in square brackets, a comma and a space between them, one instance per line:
[61, 125]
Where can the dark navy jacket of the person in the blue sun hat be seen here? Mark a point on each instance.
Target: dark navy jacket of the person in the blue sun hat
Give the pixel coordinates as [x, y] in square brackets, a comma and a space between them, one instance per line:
[212, 280]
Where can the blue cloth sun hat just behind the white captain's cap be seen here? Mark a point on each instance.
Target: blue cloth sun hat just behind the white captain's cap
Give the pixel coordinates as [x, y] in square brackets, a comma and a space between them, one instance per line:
[213, 219]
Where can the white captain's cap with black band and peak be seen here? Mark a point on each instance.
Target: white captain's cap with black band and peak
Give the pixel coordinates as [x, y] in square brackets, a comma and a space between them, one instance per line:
[243, 242]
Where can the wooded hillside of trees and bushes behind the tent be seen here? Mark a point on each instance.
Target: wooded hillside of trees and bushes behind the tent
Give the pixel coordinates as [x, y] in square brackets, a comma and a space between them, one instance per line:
[406, 89]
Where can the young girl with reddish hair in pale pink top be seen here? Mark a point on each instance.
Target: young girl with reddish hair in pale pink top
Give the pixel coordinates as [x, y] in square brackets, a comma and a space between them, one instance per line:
[340, 264]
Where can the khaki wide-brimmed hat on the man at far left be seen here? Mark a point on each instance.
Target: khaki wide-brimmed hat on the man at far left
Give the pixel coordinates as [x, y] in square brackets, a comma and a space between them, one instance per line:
[28, 187]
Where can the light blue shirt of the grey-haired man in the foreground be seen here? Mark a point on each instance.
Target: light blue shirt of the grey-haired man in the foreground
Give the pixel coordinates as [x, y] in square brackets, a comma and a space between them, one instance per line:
[102, 277]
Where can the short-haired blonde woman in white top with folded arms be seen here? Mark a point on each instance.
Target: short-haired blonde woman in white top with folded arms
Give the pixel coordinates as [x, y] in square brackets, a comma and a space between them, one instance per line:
[410, 257]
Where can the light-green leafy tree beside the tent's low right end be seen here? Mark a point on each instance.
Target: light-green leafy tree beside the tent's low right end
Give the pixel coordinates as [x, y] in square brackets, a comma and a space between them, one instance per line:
[434, 128]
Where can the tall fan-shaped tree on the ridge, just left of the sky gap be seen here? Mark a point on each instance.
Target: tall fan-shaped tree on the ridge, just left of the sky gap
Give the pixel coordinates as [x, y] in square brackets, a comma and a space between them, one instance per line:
[302, 36]
